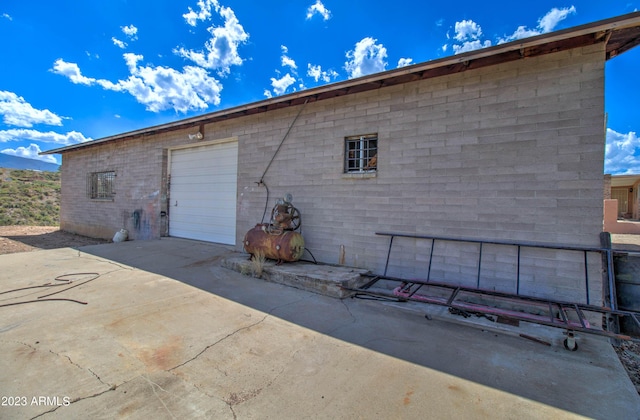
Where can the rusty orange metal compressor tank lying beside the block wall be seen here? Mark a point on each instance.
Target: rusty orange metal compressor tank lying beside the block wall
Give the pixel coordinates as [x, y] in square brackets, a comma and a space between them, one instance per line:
[276, 245]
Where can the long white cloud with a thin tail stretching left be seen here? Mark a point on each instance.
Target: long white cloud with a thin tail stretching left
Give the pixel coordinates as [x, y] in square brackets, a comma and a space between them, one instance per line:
[158, 88]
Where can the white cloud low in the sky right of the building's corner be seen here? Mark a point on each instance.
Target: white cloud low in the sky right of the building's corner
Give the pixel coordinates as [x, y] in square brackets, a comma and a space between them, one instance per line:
[622, 153]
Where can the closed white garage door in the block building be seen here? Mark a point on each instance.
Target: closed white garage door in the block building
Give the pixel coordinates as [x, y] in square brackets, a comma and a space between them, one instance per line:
[203, 193]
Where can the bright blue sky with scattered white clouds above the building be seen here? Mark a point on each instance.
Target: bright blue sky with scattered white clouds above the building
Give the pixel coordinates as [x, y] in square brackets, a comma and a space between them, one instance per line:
[74, 71]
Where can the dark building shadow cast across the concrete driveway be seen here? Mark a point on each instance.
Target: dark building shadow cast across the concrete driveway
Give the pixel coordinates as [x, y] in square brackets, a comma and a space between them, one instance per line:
[590, 382]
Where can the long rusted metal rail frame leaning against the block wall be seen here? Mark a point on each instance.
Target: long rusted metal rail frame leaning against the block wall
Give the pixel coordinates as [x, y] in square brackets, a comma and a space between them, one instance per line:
[554, 313]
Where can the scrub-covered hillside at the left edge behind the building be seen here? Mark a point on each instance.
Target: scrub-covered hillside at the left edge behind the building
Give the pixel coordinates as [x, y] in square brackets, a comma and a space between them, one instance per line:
[29, 198]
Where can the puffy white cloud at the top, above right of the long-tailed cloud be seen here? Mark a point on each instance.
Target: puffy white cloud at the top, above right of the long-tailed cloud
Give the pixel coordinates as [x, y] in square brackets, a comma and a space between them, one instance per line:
[221, 50]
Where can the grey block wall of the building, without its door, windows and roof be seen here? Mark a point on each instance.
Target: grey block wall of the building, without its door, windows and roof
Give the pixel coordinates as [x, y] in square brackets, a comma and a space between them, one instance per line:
[509, 152]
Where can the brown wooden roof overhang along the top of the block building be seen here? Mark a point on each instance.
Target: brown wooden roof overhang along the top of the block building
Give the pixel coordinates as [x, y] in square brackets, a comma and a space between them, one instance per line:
[619, 34]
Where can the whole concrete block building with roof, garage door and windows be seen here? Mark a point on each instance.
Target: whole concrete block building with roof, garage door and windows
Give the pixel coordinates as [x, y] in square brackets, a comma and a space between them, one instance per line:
[504, 143]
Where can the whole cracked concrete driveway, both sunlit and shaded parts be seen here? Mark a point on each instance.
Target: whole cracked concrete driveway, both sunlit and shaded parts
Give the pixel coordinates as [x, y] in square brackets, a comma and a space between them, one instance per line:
[167, 333]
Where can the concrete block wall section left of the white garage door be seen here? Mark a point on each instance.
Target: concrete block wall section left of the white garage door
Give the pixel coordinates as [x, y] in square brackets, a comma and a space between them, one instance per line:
[138, 188]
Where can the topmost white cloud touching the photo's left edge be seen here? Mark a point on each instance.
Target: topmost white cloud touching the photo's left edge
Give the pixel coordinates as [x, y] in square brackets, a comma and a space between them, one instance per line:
[18, 112]
